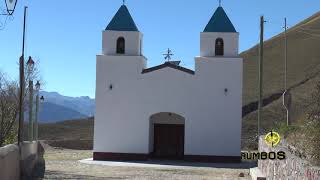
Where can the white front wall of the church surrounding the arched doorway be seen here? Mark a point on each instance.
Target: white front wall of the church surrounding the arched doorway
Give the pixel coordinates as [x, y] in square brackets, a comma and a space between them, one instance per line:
[212, 118]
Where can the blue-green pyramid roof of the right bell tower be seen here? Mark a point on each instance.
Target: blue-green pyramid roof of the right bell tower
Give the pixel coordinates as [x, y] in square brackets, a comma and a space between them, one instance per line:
[219, 22]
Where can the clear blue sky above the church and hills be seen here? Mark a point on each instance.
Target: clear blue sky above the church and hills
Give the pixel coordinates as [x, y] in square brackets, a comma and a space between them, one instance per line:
[66, 35]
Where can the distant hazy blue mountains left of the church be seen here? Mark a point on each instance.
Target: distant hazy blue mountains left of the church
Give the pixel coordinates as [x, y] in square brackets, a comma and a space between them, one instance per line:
[57, 107]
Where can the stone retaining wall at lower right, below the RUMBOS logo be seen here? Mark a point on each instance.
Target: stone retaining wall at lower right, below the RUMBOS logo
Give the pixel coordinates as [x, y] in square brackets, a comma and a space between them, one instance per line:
[293, 167]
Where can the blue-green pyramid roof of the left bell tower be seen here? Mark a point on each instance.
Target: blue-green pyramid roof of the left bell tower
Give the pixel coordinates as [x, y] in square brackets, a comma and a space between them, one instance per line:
[122, 21]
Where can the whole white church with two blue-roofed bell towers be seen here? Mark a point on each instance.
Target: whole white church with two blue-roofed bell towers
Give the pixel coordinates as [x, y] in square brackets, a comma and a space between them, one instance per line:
[168, 111]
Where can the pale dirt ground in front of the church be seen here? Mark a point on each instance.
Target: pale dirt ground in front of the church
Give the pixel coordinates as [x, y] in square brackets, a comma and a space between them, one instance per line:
[64, 164]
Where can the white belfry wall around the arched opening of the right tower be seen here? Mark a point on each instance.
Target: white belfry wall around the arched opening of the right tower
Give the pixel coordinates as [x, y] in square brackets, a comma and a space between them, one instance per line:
[208, 40]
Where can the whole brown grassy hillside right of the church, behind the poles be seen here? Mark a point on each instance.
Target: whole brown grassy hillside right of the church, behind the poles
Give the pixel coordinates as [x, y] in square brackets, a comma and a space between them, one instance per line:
[303, 74]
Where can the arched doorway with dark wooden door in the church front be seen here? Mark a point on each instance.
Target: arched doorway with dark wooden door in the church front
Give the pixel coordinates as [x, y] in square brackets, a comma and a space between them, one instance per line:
[167, 135]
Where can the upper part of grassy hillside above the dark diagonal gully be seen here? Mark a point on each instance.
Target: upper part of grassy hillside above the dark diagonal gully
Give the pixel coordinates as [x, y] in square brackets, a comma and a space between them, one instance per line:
[303, 59]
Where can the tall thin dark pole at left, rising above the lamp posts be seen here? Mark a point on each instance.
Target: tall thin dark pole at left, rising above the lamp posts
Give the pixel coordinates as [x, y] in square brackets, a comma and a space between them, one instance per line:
[21, 91]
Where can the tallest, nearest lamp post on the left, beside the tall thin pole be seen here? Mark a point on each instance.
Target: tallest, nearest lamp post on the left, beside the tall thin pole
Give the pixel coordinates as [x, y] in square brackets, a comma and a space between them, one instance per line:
[30, 66]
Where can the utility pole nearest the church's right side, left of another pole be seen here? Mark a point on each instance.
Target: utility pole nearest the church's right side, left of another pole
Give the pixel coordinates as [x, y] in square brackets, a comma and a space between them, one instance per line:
[260, 74]
